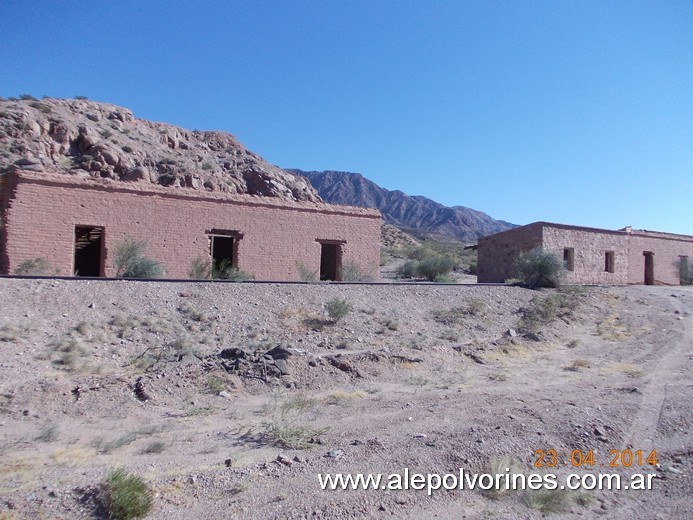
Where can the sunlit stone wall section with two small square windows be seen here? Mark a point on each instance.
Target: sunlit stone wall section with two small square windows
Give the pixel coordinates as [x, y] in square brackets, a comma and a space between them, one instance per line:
[590, 247]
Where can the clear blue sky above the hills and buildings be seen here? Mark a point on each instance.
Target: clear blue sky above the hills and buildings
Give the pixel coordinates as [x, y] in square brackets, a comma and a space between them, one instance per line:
[574, 112]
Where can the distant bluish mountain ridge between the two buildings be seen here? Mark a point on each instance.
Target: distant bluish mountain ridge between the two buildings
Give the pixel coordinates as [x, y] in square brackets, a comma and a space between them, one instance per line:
[417, 215]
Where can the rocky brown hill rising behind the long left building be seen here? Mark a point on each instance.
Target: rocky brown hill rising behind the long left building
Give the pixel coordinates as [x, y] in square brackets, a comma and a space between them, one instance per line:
[89, 139]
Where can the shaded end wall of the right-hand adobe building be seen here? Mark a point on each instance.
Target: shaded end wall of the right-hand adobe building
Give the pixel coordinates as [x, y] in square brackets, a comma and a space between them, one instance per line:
[496, 253]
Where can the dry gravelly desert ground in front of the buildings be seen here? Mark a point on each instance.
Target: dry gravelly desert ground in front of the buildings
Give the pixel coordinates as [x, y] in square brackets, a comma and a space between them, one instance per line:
[183, 385]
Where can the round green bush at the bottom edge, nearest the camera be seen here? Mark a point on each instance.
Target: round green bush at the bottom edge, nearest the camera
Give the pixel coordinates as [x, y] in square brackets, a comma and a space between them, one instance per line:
[126, 495]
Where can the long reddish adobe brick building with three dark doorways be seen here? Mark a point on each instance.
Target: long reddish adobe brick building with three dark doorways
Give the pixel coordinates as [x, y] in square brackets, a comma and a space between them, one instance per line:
[75, 224]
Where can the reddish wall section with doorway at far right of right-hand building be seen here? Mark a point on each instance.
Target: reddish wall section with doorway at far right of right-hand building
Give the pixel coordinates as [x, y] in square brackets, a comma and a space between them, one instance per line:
[667, 249]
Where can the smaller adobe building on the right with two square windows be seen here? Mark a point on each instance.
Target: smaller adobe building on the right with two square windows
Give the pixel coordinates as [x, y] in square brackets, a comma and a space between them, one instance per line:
[592, 256]
